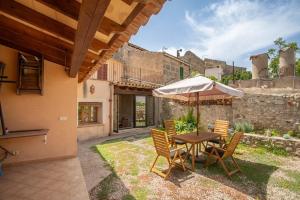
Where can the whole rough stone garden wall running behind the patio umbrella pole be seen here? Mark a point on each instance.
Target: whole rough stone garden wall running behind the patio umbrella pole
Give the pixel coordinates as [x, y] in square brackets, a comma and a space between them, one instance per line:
[268, 110]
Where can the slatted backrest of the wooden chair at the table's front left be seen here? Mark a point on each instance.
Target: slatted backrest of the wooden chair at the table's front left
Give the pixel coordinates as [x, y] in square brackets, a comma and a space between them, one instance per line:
[161, 142]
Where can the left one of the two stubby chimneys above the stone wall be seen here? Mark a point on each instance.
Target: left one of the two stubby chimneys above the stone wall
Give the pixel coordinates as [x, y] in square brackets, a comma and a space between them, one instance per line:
[259, 66]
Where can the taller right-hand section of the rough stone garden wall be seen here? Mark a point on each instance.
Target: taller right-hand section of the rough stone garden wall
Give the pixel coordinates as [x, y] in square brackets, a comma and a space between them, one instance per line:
[268, 111]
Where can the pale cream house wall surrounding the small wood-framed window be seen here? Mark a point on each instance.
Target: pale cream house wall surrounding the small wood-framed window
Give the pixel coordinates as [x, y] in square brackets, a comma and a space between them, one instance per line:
[101, 95]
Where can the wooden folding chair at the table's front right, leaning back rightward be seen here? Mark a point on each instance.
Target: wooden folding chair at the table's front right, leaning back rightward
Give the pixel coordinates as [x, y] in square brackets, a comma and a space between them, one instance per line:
[227, 152]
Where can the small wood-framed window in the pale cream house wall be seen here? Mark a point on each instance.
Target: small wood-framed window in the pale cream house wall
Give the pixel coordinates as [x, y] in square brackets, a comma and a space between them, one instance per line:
[89, 113]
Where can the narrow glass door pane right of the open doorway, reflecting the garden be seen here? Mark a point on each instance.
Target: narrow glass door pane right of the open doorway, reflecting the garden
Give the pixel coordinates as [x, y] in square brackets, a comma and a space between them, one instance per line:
[140, 111]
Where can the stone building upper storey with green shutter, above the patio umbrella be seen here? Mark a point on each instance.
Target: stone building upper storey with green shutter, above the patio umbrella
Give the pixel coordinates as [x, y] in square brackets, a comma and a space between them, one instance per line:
[163, 67]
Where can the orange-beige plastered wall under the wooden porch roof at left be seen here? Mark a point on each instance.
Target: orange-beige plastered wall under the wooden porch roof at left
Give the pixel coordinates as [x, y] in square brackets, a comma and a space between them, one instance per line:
[32, 111]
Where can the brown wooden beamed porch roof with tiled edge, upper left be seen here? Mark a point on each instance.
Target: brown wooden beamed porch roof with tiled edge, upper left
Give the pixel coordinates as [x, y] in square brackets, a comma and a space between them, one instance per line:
[78, 34]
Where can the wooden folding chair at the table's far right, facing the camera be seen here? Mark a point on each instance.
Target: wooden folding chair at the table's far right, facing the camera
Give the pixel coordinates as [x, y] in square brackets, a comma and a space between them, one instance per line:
[221, 128]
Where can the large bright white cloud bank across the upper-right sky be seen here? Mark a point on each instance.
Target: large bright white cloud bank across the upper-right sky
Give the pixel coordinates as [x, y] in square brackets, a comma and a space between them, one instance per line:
[230, 29]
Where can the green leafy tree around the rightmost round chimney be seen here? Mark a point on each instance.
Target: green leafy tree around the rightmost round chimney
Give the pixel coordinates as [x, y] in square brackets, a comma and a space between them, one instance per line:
[274, 56]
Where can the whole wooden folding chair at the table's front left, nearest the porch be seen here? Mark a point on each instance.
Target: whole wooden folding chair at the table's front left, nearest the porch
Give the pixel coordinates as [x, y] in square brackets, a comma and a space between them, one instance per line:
[163, 149]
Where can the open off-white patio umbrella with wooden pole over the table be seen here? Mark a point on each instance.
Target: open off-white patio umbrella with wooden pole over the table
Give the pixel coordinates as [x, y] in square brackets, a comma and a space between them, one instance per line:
[196, 89]
